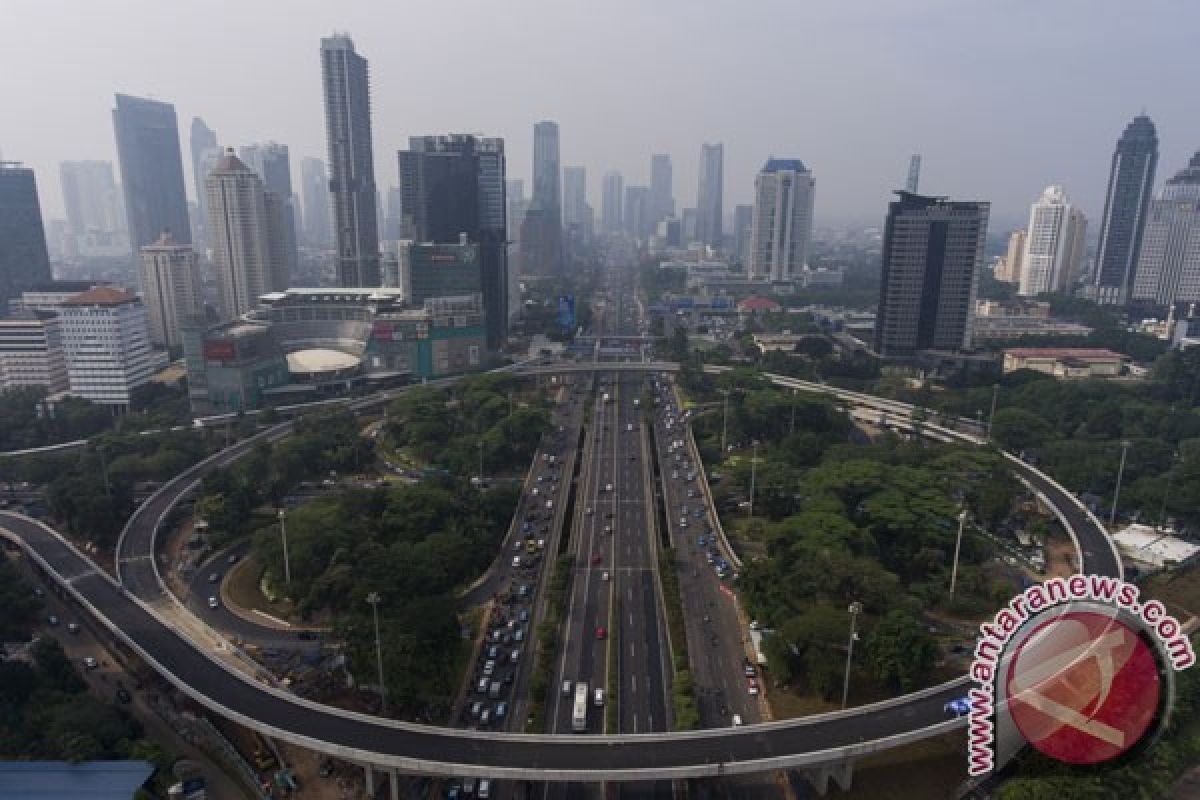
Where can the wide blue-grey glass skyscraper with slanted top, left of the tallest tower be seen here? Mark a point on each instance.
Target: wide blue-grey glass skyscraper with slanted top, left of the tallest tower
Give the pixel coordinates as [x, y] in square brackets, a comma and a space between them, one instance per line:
[152, 171]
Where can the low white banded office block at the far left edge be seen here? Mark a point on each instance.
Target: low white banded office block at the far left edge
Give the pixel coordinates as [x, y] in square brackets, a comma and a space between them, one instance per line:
[32, 352]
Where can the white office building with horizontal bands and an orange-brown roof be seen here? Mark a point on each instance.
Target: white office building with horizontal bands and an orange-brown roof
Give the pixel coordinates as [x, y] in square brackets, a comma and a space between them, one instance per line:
[107, 346]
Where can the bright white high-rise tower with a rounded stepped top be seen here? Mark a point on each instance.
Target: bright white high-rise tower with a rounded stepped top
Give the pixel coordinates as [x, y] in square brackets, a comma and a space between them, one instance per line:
[1053, 245]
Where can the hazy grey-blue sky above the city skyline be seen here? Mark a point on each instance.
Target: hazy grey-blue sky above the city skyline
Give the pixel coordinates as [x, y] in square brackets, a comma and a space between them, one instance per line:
[1000, 97]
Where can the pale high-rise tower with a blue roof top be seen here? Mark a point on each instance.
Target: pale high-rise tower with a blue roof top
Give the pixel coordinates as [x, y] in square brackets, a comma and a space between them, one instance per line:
[783, 220]
